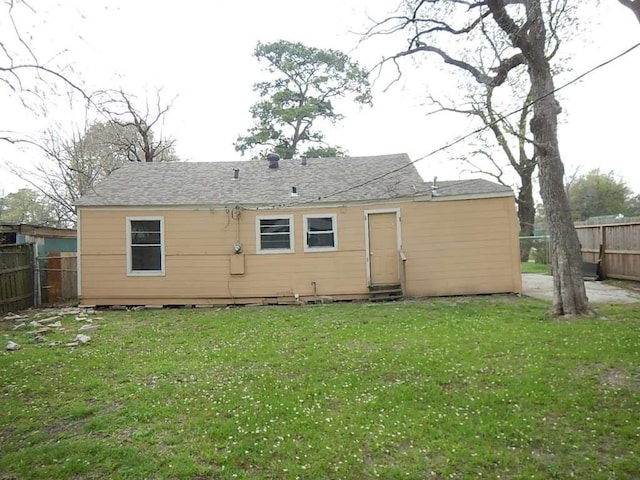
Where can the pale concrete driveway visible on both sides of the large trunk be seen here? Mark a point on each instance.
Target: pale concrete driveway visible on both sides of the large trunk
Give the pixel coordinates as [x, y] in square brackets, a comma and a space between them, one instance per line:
[541, 286]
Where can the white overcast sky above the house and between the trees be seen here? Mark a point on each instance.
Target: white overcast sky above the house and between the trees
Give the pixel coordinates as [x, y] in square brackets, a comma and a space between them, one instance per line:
[200, 53]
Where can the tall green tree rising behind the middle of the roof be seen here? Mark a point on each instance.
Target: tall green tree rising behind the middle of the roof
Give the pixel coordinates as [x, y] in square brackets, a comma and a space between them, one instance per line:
[305, 82]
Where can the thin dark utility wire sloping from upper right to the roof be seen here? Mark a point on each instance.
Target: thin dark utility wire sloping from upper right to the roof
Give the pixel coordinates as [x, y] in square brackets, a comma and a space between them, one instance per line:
[474, 132]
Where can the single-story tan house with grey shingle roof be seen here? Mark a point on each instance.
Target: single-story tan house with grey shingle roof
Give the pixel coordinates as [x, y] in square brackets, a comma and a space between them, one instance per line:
[289, 231]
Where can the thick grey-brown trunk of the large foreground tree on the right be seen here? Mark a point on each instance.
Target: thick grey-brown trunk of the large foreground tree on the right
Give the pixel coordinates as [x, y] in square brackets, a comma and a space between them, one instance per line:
[569, 296]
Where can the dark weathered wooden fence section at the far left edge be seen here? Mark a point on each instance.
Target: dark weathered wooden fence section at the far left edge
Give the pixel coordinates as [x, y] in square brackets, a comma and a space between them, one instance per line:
[16, 277]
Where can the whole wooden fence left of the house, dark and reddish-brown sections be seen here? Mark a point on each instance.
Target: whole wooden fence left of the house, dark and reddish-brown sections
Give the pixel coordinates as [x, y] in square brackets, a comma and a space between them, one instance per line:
[28, 280]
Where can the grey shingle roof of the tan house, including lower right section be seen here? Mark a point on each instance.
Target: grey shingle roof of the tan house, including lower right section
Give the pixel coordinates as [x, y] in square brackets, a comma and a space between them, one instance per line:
[321, 180]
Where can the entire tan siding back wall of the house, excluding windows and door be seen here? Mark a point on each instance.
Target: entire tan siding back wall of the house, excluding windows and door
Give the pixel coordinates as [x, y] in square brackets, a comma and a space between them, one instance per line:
[455, 247]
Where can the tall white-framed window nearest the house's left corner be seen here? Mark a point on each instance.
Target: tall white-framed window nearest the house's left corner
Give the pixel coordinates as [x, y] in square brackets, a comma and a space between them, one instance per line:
[145, 246]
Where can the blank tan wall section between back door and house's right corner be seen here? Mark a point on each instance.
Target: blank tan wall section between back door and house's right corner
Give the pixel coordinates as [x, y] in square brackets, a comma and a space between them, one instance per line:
[461, 247]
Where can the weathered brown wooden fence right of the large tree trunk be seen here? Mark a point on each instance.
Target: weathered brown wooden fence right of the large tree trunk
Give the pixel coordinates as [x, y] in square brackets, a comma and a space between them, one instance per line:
[615, 245]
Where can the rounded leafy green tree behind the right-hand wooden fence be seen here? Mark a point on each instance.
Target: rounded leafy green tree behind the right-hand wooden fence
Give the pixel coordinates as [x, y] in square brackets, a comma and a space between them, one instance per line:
[597, 194]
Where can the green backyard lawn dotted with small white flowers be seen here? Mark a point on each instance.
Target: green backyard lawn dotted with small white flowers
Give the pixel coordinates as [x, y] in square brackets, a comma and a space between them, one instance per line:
[485, 387]
